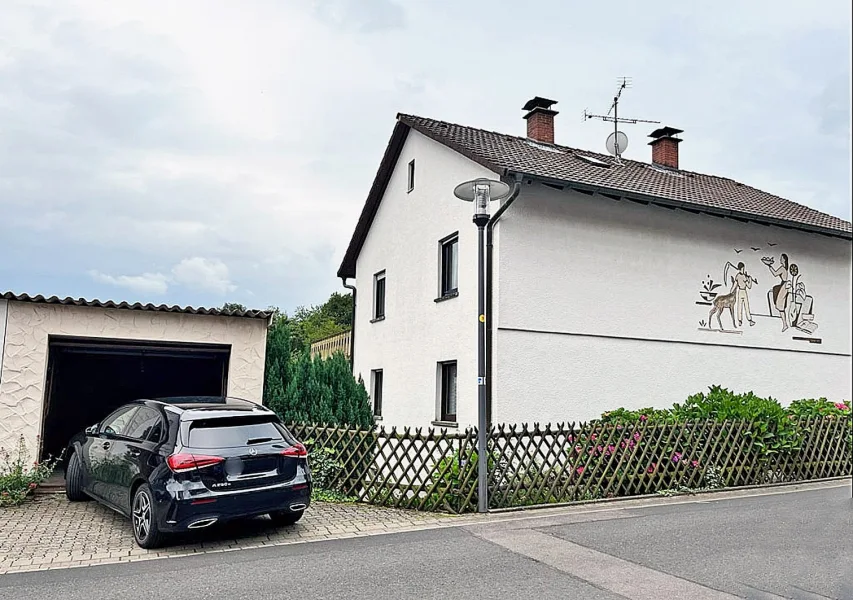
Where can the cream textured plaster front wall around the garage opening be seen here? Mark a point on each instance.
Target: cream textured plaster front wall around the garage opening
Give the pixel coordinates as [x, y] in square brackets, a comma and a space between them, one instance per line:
[28, 325]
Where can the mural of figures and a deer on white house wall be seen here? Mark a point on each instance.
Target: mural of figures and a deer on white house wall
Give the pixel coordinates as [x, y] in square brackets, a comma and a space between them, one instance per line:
[783, 296]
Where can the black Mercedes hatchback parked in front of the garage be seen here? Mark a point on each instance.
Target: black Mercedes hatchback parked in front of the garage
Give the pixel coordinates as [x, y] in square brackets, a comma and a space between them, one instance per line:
[185, 463]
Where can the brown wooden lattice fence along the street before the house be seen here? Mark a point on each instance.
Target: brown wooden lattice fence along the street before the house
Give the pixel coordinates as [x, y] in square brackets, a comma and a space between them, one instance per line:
[529, 465]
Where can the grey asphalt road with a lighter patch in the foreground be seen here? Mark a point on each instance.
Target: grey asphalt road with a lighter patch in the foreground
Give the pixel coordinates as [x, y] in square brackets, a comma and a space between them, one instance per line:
[785, 545]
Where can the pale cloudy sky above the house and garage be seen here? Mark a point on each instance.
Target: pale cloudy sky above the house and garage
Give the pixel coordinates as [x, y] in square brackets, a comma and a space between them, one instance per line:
[198, 152]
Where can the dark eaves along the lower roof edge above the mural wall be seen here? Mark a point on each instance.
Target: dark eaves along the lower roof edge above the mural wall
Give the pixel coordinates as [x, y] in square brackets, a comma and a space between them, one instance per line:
[691, 207]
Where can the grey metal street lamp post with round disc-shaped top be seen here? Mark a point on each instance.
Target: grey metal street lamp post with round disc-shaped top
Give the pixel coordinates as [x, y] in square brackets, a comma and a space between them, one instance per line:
[481, 192]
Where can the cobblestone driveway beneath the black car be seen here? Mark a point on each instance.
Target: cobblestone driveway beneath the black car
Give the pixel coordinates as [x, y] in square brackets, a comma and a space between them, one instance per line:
[50, 532]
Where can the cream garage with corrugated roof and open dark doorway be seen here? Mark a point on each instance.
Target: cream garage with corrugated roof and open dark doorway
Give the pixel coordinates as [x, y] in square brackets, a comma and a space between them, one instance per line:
[66, 363]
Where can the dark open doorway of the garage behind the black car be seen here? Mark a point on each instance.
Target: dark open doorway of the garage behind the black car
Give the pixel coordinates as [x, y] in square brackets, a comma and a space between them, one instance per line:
[88, 379]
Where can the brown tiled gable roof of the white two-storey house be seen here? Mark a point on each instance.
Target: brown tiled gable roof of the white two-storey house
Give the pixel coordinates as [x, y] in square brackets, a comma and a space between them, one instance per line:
[507, 154]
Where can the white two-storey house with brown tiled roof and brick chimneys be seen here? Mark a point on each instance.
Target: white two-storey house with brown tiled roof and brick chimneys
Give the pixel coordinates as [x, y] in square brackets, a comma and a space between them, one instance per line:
[614, 282]
